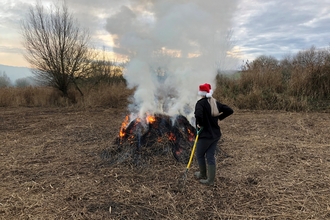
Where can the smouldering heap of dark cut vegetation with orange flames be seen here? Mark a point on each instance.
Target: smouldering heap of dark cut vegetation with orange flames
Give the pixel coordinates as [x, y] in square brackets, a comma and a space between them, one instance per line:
[141, 139]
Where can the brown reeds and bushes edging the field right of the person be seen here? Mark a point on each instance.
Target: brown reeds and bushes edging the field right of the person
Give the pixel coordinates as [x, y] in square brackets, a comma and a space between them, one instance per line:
[297, 82]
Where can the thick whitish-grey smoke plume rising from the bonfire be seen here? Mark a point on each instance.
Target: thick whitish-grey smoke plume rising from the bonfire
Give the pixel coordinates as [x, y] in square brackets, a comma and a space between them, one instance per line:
[173, 46]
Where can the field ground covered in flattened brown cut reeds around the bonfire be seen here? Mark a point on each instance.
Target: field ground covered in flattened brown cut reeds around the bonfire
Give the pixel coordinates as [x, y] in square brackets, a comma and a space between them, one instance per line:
[51, 169]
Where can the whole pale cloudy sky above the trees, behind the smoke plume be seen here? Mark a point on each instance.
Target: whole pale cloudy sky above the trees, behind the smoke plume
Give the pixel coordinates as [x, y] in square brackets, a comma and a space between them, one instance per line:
[259, 27]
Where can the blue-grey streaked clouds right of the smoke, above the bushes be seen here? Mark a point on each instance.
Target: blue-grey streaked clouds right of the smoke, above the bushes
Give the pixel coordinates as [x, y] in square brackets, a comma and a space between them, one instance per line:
[280, 27]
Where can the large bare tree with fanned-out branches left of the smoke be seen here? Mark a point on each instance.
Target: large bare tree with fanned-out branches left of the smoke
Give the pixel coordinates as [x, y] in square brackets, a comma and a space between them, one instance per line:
[57, 49]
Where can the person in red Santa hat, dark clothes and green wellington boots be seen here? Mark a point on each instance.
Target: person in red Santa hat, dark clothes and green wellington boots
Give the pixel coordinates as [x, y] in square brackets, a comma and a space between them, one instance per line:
[210, 133]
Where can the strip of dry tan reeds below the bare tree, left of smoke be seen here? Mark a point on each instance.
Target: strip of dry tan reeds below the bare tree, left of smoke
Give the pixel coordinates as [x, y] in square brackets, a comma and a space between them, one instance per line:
[104, 95]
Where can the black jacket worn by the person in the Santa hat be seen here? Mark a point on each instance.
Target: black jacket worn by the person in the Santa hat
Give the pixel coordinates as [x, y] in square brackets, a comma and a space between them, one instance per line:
[211, 128]
